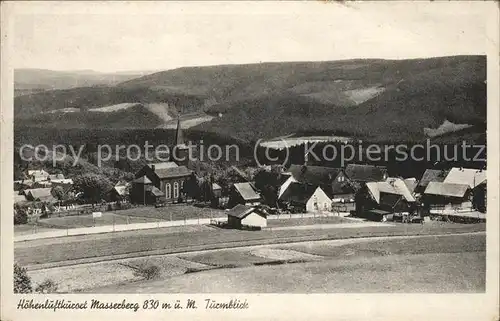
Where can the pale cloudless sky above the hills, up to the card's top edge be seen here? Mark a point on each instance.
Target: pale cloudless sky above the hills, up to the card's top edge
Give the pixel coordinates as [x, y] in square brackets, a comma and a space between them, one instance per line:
[158, 36]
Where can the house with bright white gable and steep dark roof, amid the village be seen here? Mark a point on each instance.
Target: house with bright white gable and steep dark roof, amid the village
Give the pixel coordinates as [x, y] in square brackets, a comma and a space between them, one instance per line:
[306, 198]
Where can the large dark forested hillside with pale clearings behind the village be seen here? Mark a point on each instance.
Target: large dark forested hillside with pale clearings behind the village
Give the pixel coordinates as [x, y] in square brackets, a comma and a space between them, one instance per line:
[376, 99]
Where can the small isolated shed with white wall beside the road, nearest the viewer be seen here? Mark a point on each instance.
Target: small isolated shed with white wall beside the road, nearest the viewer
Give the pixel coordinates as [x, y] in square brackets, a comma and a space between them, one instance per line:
[246, 216]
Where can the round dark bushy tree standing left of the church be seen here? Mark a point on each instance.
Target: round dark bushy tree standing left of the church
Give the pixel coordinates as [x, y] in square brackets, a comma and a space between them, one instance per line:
[94, 187]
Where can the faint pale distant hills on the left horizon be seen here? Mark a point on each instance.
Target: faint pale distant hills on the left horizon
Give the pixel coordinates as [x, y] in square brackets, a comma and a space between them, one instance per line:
[28, 81]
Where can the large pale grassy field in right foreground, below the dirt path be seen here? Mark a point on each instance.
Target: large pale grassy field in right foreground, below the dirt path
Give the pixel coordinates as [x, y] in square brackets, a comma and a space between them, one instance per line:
[431, 264]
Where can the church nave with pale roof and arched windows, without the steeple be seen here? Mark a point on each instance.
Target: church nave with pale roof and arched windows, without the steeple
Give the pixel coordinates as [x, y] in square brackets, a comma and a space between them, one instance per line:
[168, 177]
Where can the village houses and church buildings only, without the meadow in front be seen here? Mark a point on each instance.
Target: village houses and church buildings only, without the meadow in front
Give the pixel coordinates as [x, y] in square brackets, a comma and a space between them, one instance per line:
[363, 190]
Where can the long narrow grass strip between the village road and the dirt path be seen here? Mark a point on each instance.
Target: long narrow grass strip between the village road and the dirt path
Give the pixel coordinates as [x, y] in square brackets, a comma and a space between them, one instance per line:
[173, 240]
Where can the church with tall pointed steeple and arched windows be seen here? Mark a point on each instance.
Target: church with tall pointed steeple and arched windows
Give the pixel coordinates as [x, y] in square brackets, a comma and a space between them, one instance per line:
[163, 182]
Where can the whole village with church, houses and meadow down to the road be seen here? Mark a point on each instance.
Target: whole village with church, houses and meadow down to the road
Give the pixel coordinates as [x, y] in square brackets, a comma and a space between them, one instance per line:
[174, 192]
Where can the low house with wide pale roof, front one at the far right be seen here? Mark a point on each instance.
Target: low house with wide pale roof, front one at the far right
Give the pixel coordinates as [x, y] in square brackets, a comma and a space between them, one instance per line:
[441, 197]
